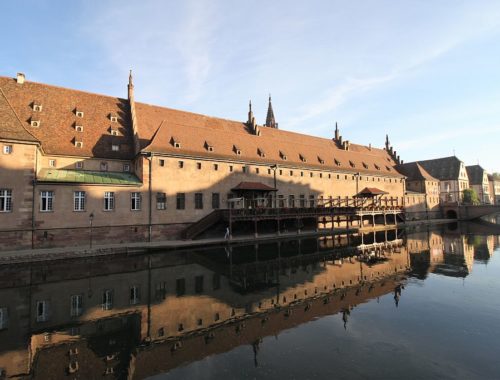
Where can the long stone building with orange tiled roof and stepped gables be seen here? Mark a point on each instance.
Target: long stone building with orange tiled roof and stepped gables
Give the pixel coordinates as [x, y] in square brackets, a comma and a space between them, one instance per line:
[138, 172]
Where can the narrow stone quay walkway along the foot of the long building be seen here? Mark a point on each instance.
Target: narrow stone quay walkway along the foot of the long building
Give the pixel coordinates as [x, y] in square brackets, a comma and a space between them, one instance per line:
[41, 254]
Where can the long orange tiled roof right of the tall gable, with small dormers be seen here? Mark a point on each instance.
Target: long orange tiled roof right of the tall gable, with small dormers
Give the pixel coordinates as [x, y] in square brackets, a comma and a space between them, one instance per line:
[194, 129]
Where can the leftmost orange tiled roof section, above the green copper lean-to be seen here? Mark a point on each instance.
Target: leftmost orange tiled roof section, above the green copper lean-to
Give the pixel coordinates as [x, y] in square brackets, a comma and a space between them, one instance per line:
[58, 119]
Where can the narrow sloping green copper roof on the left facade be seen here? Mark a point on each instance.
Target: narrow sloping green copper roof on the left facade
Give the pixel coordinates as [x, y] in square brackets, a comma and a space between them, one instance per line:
[89, 177]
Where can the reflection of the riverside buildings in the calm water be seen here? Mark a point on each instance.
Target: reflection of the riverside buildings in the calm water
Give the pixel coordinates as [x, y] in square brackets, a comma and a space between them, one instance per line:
[136, 316]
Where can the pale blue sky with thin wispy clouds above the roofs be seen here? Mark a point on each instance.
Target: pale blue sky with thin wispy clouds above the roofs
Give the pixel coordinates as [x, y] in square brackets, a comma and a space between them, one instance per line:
[425, 72]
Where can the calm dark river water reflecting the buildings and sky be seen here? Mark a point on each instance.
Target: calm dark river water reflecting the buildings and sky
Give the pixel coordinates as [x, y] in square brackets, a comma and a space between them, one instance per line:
[417, 304]
